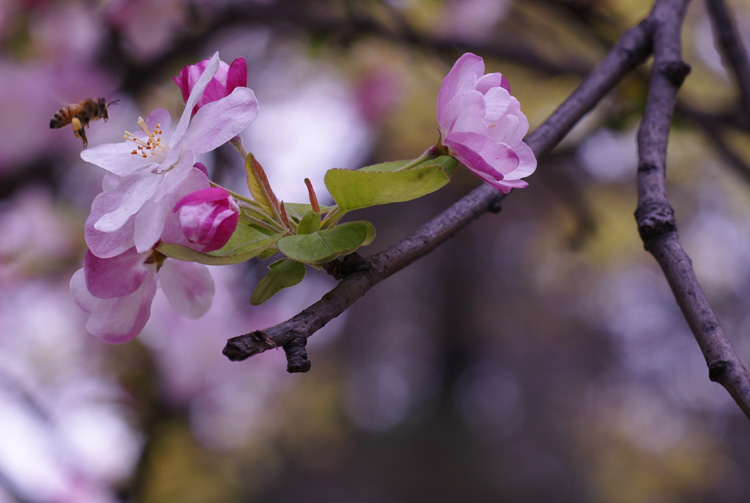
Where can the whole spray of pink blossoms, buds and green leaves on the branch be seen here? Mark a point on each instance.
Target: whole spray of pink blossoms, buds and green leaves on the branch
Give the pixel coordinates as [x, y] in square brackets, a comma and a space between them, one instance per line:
[158, 214]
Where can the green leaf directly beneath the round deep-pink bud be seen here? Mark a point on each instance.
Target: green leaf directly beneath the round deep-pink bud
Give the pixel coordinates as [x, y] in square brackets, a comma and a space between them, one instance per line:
[245, 243]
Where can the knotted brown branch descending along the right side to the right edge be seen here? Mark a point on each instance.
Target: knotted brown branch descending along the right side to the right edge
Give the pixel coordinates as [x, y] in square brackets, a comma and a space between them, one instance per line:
[656, 221]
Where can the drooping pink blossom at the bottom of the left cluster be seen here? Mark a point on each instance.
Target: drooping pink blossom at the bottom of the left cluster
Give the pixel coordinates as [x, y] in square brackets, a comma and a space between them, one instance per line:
[117, 292]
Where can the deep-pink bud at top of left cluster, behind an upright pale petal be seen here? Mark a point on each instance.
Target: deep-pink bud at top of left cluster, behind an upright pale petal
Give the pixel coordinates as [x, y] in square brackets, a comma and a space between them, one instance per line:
[226, 80]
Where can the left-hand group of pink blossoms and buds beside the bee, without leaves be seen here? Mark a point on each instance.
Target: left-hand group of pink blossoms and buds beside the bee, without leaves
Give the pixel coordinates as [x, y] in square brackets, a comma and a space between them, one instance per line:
[155, 192]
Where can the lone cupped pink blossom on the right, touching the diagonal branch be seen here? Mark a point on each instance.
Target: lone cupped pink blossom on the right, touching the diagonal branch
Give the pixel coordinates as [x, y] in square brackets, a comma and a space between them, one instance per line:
[482, 126]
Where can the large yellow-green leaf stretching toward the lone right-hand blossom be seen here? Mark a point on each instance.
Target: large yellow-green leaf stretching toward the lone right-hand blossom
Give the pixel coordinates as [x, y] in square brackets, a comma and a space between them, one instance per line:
[384, 183]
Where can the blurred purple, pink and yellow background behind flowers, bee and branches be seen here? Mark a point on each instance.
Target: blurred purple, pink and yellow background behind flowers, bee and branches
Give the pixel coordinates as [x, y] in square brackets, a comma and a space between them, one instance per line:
[537, 356]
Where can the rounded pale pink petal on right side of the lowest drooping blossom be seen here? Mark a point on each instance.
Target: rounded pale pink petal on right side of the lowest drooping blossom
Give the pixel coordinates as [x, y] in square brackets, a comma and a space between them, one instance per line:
[188, 287]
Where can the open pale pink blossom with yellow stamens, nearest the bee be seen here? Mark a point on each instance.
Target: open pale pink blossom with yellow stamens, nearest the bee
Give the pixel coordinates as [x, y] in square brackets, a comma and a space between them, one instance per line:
[152, 165]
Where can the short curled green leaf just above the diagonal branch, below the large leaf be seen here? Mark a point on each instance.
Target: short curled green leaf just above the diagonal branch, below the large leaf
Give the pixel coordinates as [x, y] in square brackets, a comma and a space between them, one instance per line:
[327, 244]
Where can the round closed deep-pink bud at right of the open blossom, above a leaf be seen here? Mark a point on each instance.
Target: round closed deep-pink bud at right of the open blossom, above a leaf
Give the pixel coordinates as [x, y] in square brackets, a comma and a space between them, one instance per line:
[208, 217]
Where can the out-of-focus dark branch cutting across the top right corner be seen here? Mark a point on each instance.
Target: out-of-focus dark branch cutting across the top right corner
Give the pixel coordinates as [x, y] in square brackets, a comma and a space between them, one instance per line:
[733, 52]
